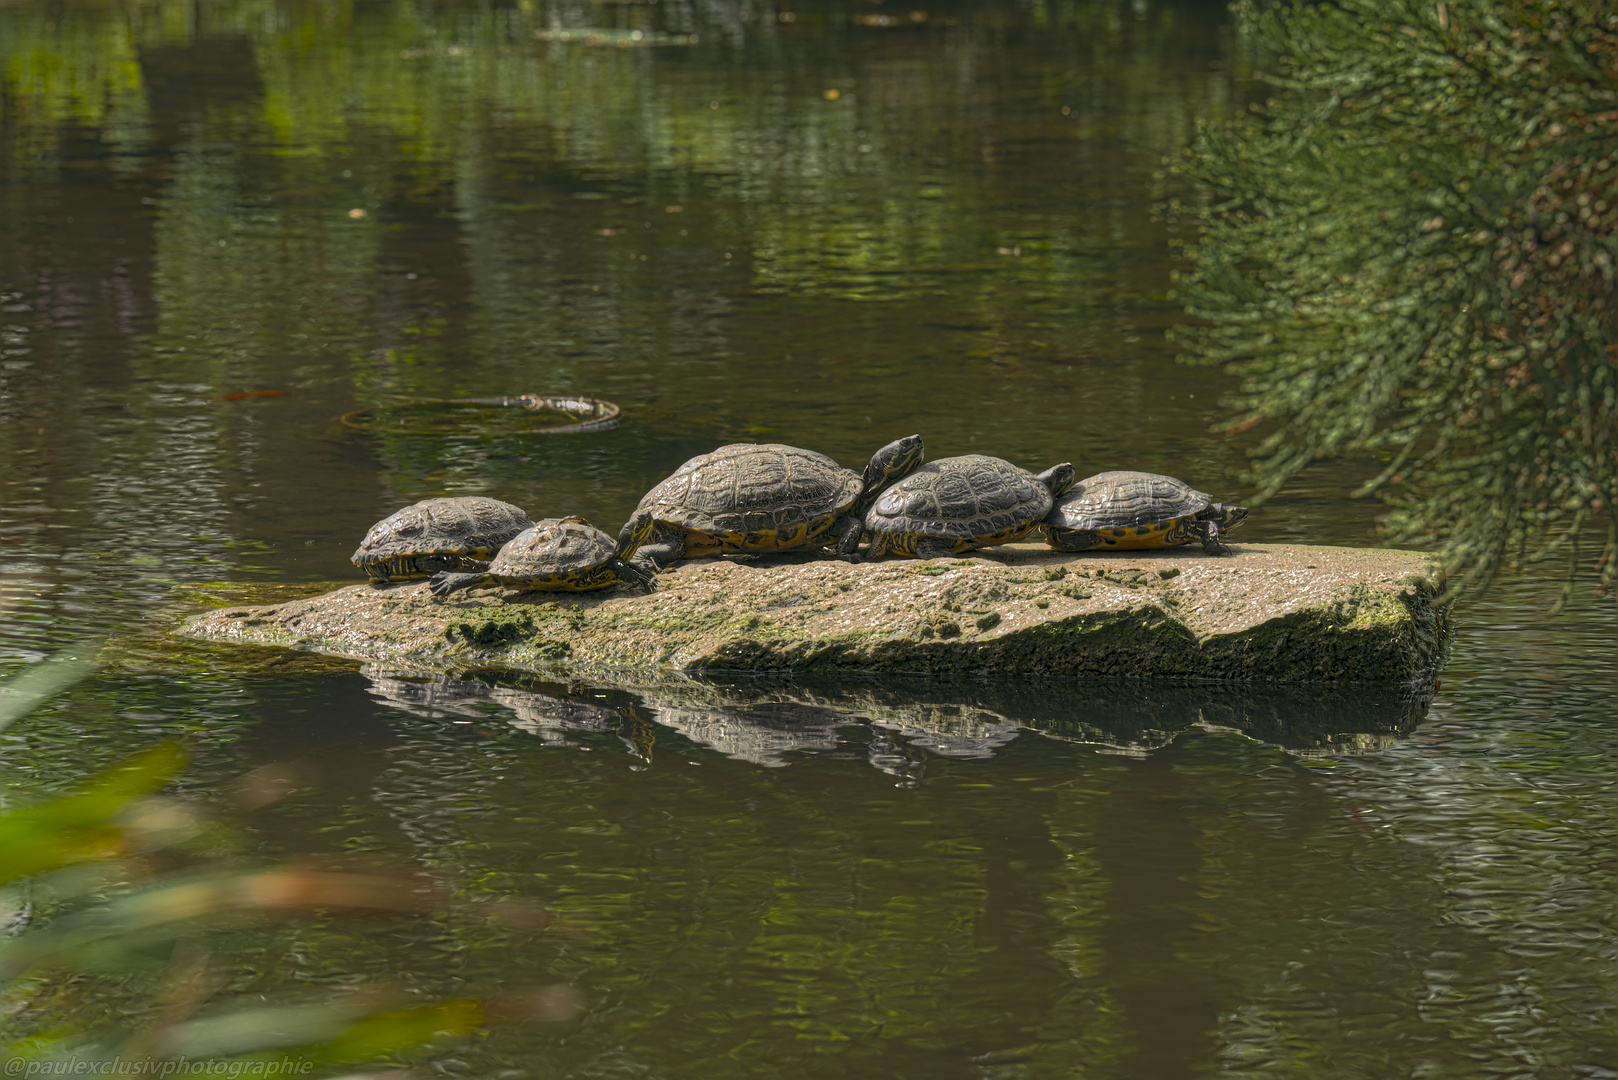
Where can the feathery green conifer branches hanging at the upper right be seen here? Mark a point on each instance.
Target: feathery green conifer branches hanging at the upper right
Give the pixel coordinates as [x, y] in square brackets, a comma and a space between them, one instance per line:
[1412, 253]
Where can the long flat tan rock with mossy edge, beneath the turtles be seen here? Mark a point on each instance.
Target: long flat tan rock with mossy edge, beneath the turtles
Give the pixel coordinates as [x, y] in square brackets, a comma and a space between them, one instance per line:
[1268, 613]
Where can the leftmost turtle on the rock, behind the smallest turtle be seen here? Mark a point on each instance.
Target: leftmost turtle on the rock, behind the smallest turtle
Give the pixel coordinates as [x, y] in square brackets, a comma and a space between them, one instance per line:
[438, 535]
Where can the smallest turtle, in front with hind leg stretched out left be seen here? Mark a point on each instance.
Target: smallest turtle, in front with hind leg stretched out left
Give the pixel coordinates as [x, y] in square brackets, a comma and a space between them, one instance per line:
[559, 556]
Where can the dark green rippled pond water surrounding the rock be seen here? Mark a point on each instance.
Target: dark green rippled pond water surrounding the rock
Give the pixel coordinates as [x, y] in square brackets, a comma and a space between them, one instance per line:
[226, 226]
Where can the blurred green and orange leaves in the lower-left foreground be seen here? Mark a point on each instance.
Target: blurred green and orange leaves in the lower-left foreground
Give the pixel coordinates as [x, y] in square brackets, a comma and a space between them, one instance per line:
[130, 887]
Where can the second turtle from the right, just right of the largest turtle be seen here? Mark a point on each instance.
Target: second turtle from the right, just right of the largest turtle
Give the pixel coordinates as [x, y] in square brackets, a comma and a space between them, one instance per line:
[952, 506]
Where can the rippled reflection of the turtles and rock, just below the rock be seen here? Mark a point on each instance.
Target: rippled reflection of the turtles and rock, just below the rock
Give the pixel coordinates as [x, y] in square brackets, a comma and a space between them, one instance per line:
[907, 720]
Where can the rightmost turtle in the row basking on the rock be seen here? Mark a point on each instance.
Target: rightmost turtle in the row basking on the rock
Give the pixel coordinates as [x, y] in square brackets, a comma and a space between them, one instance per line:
[1129, 511]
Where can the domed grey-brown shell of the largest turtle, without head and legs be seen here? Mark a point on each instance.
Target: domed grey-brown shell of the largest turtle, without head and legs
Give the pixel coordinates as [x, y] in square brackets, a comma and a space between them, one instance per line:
[753, 496]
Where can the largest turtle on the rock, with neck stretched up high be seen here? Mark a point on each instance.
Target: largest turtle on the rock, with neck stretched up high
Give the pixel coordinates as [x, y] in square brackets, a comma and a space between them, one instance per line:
[766, 496]
